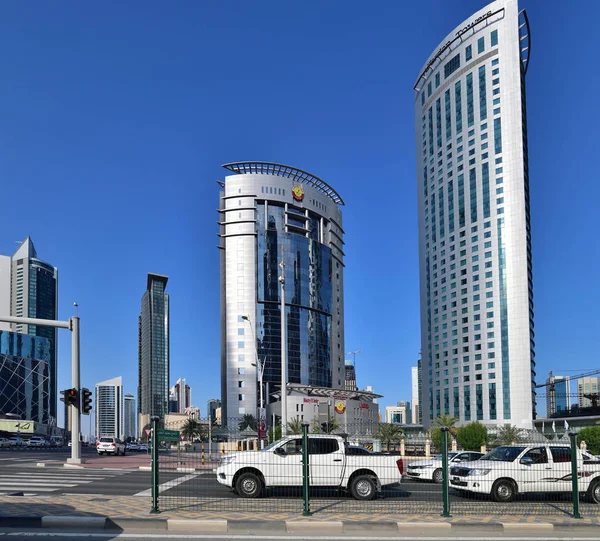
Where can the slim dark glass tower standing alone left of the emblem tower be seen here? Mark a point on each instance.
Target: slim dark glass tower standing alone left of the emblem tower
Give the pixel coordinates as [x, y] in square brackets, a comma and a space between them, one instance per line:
[153, 351]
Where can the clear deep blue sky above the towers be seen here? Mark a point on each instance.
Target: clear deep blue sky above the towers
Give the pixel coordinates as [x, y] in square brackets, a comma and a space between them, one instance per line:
[116, 118]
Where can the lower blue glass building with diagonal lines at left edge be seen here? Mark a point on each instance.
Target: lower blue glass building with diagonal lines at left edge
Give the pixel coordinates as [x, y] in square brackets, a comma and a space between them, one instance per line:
[25, 376]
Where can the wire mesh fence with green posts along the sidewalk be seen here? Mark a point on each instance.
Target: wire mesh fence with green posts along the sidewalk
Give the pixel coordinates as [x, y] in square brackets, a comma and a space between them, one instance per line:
[234, 470]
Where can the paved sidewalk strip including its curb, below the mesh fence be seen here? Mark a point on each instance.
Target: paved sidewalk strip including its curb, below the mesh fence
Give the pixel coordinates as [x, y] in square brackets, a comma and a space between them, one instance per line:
[120, 511]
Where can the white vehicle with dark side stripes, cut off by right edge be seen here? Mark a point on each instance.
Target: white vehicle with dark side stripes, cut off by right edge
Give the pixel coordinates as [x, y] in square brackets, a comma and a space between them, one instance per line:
[512, 469]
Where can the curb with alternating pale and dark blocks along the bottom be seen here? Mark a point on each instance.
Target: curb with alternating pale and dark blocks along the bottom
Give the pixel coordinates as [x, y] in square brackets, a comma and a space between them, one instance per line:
[77, 523]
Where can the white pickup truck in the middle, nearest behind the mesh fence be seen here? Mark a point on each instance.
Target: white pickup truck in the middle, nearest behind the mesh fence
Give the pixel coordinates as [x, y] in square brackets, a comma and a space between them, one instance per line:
[280, 464]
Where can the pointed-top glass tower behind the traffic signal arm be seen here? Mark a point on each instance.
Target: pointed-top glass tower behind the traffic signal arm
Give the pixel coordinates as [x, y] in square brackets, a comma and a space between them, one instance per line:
[29, 288]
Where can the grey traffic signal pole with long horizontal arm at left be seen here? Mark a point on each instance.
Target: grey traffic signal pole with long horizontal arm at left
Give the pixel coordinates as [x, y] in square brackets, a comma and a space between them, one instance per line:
[73, 326]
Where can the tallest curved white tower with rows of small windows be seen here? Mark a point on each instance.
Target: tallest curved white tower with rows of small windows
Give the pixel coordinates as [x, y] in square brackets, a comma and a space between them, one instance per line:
[474, 223]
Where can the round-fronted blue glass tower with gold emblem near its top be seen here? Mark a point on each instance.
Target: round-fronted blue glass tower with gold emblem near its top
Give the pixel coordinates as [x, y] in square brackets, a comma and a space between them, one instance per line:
[269, 212]
